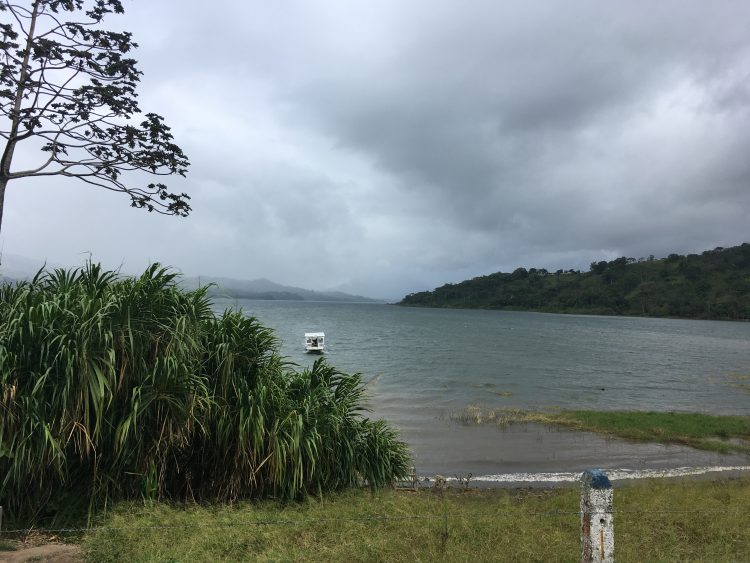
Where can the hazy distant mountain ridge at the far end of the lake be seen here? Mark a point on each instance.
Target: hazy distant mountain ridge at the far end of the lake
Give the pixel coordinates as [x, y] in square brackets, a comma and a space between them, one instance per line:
[268, 290]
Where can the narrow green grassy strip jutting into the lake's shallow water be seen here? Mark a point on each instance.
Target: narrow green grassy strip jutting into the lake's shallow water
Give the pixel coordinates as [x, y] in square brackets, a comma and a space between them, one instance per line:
[723, 434]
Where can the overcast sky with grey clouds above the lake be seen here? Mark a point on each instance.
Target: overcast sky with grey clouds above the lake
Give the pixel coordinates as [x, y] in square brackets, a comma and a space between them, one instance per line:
[384, 147]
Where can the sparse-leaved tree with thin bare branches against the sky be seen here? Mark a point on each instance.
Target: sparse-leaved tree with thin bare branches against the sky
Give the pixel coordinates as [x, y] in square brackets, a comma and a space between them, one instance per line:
[68, 90]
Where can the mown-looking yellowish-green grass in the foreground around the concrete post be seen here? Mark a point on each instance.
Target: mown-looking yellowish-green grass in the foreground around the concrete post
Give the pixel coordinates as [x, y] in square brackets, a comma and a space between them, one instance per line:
[654, 521]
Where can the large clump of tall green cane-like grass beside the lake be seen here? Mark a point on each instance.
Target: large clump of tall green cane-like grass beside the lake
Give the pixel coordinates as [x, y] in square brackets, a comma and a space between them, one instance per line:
[115, 388]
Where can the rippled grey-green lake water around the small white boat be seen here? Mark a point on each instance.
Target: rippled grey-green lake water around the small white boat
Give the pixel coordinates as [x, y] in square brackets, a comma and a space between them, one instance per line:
[422, 365]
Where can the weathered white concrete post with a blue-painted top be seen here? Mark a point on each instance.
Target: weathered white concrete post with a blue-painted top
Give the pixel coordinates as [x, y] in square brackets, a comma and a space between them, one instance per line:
[597, 527]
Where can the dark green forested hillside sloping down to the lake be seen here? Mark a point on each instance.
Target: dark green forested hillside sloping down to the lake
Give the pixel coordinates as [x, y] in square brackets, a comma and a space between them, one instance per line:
[711, 285]
